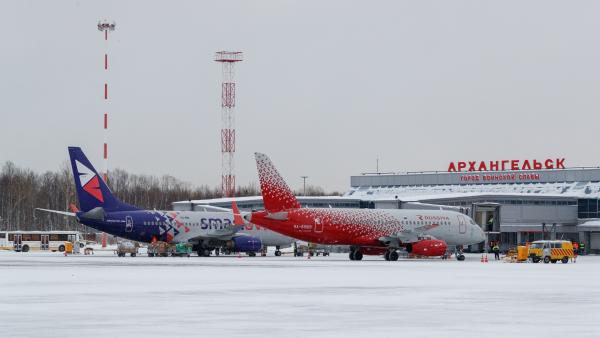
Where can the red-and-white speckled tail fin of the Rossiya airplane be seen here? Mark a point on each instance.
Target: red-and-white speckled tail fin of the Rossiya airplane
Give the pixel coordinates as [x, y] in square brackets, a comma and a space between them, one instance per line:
[277, 196]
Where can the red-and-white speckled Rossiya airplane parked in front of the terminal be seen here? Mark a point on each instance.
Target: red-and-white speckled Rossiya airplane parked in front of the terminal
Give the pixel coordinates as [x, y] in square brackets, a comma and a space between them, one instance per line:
[367, 231]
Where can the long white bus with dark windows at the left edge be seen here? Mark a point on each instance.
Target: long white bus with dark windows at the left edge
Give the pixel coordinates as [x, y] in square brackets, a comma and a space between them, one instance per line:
[37, 240]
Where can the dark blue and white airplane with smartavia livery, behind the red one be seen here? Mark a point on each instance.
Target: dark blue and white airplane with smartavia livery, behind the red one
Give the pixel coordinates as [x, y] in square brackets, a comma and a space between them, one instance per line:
[205, 230]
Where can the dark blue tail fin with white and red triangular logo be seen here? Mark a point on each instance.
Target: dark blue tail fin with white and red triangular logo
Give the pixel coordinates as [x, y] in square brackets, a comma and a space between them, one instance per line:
[92, 192]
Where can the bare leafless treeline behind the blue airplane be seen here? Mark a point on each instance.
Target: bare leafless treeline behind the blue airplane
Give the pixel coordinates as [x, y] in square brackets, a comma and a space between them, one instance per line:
[22, 190]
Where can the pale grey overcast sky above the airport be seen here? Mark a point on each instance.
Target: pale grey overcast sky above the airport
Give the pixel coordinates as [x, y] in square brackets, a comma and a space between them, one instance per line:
[325, 88]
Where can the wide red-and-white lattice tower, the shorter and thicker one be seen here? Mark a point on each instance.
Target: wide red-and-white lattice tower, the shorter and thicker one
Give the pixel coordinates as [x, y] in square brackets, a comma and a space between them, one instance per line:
[228, 60]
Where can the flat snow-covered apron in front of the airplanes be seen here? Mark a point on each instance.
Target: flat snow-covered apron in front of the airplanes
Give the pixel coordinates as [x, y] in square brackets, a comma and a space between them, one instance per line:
[49, 295]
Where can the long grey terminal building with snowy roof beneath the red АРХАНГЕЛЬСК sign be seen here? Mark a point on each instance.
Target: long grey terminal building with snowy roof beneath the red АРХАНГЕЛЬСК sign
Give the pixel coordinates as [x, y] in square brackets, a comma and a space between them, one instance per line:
[512, 206]
